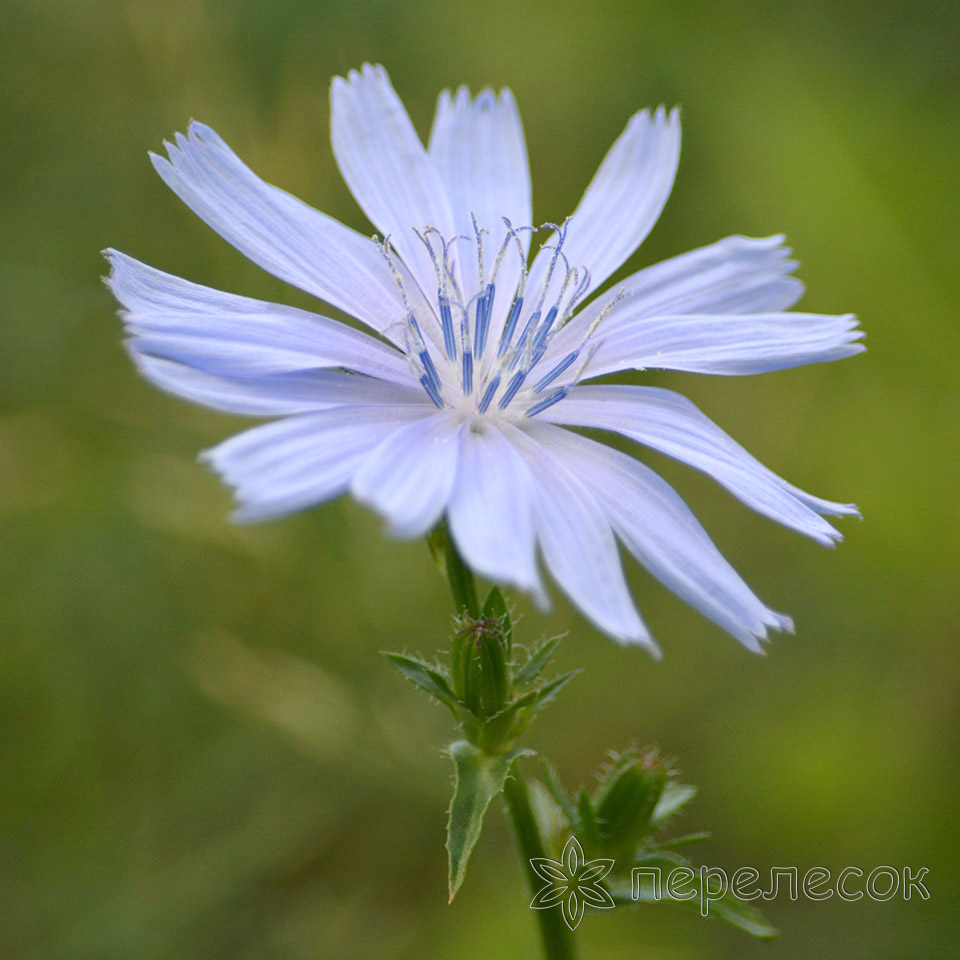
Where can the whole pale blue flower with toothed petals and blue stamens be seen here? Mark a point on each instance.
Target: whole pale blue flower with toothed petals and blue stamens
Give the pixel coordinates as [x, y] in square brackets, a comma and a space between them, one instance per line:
[456, 403]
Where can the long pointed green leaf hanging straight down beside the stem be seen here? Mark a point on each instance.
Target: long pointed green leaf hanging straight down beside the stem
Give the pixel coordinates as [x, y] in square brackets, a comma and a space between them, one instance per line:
[479, 778]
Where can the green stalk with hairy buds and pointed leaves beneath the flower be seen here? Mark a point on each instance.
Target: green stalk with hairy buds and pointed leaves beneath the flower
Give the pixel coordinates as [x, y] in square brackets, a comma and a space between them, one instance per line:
[584, 848]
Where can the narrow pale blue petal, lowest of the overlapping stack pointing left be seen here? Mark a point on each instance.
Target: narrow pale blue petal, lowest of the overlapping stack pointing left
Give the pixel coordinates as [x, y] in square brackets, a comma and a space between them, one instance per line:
[277, 394]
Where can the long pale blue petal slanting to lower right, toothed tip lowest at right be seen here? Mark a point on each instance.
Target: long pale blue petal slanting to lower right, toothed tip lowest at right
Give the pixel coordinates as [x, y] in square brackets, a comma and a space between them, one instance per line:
[664, 535]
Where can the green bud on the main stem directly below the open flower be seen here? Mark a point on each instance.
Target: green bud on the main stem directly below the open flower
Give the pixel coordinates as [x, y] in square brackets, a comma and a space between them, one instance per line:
[480, 668]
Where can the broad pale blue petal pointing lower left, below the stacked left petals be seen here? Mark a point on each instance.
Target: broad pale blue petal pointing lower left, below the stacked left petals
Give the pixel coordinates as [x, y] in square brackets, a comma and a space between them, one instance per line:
[300, 461]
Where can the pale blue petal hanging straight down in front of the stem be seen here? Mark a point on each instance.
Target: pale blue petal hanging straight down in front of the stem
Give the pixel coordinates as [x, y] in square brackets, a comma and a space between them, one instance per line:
[491, 509]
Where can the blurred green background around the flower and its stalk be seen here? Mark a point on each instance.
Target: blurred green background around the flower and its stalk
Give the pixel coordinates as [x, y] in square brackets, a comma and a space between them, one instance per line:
[203, 755]
